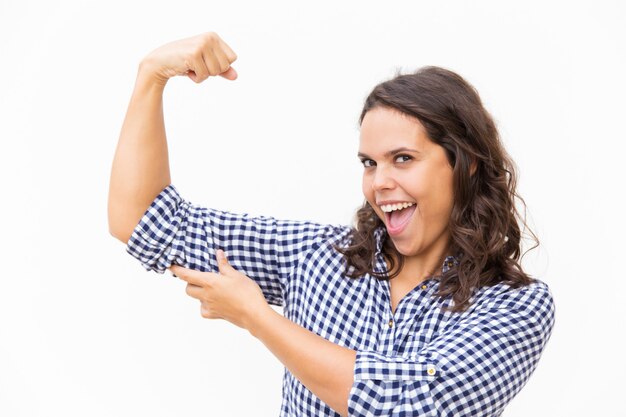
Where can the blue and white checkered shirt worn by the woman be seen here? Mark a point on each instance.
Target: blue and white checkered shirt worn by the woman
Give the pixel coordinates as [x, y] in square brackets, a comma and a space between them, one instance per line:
[418, 361]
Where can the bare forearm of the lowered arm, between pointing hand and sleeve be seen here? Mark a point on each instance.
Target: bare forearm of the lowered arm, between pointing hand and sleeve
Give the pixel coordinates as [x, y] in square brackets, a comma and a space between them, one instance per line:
[325, 368]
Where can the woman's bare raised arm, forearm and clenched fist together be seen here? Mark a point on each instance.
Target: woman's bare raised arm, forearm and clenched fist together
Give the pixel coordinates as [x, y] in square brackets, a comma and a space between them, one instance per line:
[140, 166]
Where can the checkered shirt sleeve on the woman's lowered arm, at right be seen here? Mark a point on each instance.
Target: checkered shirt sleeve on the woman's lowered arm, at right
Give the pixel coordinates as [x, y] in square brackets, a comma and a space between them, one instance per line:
[474, 368]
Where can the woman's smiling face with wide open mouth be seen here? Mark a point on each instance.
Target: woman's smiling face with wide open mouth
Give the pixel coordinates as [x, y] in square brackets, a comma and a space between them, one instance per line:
[407, 180]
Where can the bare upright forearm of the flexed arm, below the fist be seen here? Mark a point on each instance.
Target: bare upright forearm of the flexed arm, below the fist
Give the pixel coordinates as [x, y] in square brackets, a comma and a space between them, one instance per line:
[140, 167]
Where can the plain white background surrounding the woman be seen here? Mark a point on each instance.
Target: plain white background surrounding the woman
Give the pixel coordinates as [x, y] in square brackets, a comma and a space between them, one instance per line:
[84, 330]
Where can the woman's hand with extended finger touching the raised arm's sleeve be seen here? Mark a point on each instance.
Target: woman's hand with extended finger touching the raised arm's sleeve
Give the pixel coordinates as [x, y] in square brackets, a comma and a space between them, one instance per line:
[229, 295]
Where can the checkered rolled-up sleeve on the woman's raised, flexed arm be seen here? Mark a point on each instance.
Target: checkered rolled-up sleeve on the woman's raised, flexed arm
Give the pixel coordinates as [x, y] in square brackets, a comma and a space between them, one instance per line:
[175, 231]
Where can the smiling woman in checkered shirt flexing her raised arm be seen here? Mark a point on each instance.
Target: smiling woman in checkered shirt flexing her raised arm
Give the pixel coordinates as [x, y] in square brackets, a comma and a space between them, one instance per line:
[421, 309]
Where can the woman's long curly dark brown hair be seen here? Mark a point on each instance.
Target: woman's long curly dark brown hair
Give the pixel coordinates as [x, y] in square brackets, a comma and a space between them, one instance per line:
[484, 228]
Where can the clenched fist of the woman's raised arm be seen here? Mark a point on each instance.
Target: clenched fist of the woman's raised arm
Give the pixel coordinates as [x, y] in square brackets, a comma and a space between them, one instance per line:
[197, 57]
